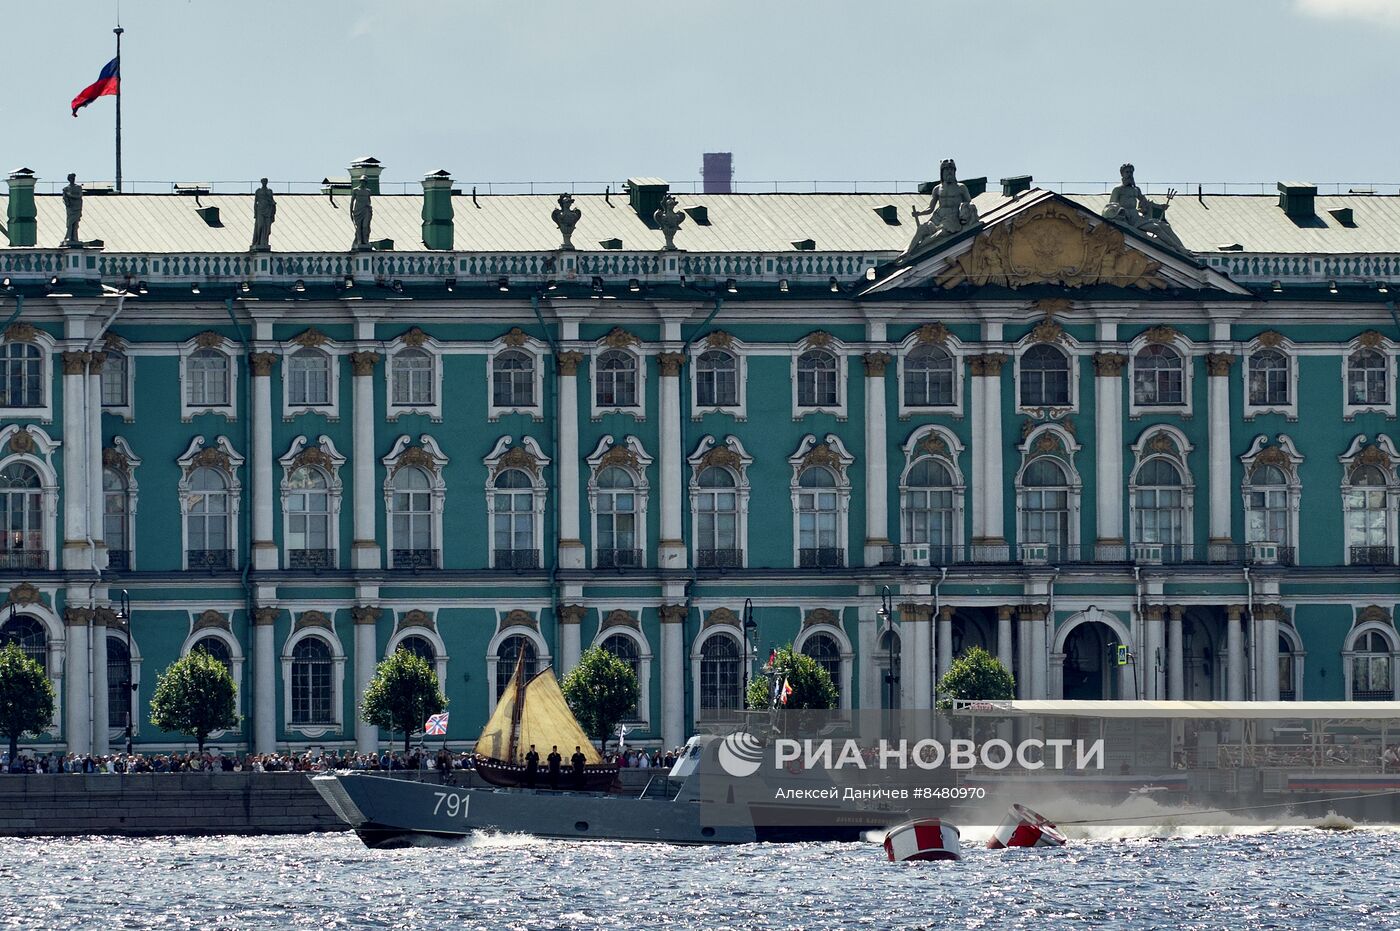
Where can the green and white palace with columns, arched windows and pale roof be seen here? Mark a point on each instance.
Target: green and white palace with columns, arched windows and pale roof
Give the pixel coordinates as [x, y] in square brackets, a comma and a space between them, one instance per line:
[1039, 430]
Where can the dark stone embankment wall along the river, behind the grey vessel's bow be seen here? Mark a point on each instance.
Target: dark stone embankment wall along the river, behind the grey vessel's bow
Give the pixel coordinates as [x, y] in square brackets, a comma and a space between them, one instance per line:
[183, 803]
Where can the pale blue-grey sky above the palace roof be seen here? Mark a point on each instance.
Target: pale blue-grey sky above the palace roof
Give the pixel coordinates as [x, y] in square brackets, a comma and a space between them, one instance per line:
[801, 92]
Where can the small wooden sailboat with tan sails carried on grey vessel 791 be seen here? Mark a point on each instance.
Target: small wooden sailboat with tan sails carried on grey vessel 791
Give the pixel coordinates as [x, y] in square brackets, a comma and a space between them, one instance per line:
[534, 713]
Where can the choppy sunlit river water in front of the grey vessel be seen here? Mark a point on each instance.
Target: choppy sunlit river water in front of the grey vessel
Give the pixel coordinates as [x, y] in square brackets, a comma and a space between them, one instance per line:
[1105, 878]
